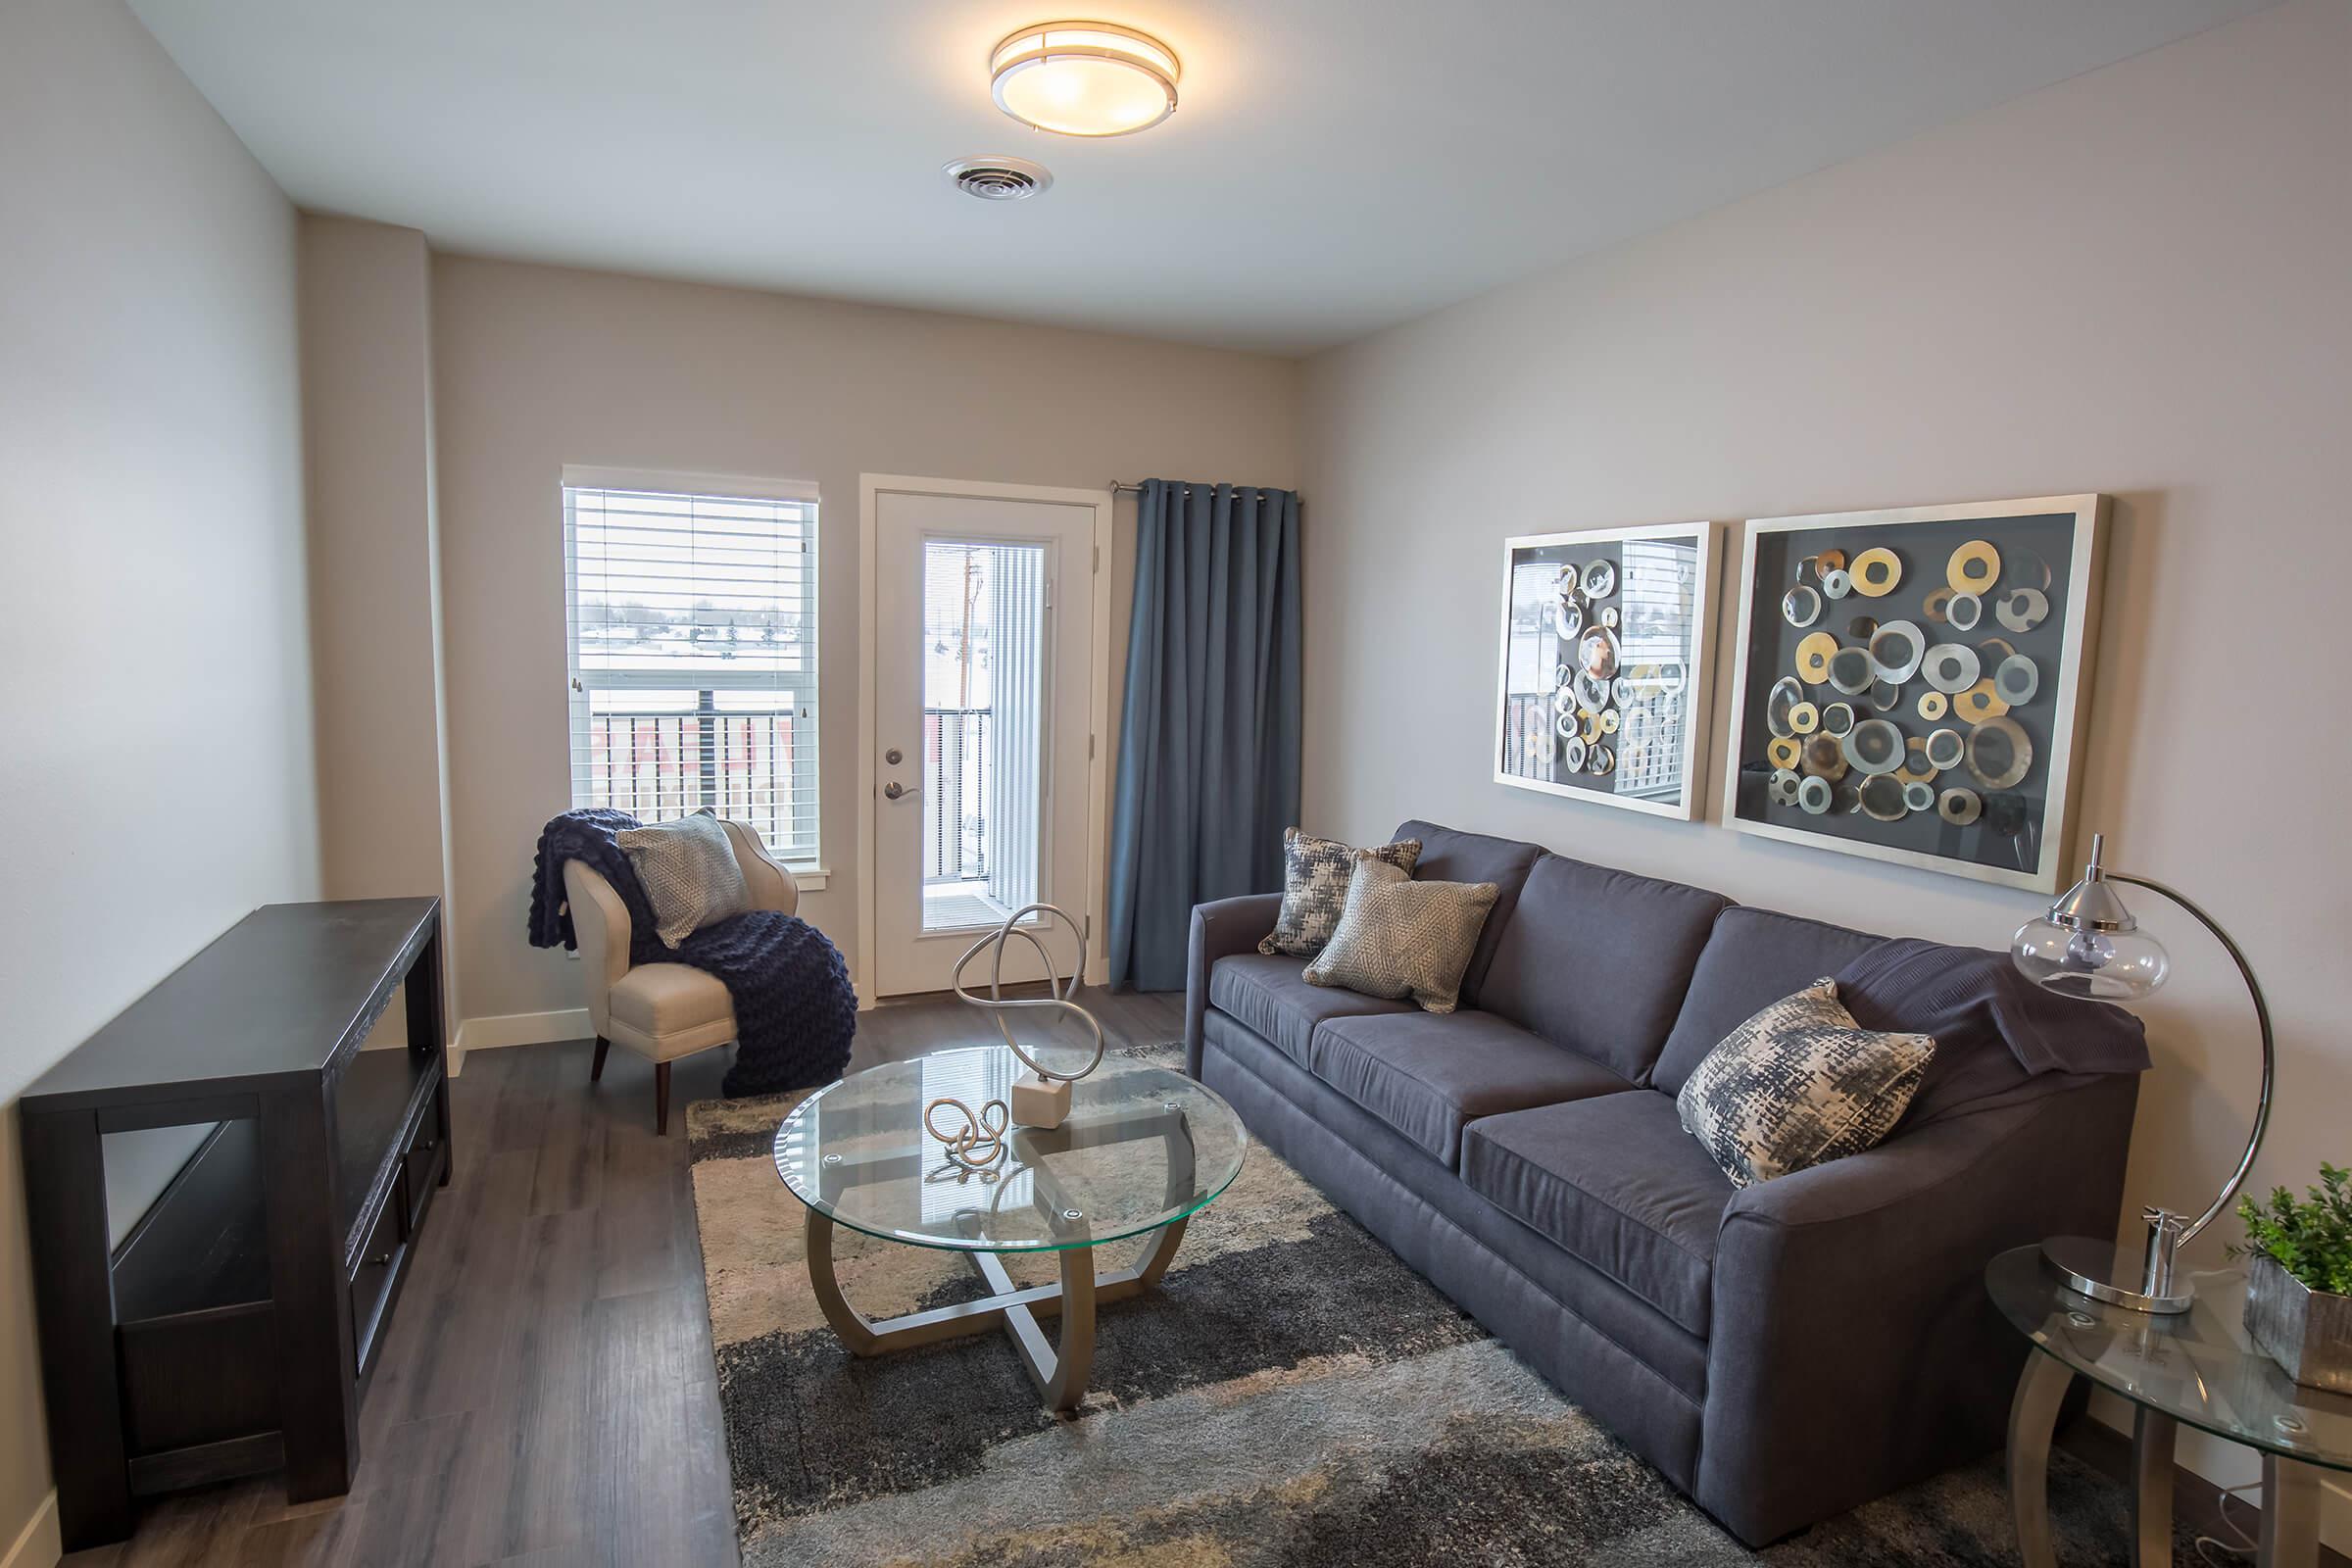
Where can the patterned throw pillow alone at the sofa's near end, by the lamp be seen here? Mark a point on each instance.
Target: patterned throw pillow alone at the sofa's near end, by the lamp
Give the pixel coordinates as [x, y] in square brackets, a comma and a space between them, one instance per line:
[1800, 1085]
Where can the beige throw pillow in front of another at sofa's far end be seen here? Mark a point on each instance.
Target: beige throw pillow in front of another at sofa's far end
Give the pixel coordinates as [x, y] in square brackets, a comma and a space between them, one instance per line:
[1403, 939]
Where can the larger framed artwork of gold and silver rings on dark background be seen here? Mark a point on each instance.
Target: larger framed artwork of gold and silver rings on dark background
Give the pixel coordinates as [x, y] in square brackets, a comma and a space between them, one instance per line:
[1913, 683]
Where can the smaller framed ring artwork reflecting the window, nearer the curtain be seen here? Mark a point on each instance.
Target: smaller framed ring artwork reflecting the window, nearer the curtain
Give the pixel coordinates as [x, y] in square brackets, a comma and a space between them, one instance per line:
[1608, 662]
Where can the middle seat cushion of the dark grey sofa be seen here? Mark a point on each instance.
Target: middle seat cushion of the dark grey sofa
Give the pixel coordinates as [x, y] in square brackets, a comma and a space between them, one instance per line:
[1431, 1073]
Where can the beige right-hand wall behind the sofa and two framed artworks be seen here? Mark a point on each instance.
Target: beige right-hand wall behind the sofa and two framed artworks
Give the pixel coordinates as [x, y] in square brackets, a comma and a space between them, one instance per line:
[2132, 283]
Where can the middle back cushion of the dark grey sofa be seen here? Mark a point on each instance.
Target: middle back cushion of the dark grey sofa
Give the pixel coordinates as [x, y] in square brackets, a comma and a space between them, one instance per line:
[1598, 960]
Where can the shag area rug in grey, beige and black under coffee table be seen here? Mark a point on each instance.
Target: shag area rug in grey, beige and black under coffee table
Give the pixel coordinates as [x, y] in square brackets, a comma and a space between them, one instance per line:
[1292, 1395]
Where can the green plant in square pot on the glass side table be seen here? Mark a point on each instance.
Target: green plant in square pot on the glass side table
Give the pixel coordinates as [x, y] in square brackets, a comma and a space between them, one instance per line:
[2299, 1292]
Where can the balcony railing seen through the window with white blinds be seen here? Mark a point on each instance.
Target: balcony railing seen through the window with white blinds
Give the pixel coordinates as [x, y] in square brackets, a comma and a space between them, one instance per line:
[744, 765]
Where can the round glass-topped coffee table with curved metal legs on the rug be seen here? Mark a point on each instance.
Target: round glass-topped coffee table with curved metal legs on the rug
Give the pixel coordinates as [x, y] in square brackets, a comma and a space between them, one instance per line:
[1140, 1155]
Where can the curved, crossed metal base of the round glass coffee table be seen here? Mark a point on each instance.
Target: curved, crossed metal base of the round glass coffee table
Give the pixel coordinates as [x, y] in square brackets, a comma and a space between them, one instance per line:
[1060, 1369]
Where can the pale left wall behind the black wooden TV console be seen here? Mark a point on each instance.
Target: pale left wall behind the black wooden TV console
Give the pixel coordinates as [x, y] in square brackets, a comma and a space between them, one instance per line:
[156, 692]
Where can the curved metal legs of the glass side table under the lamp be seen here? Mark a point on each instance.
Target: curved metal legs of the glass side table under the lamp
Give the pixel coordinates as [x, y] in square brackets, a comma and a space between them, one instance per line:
[2290, 1489]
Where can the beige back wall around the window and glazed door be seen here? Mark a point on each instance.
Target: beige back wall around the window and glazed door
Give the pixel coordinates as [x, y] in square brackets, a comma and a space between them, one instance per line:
[540, 368]
